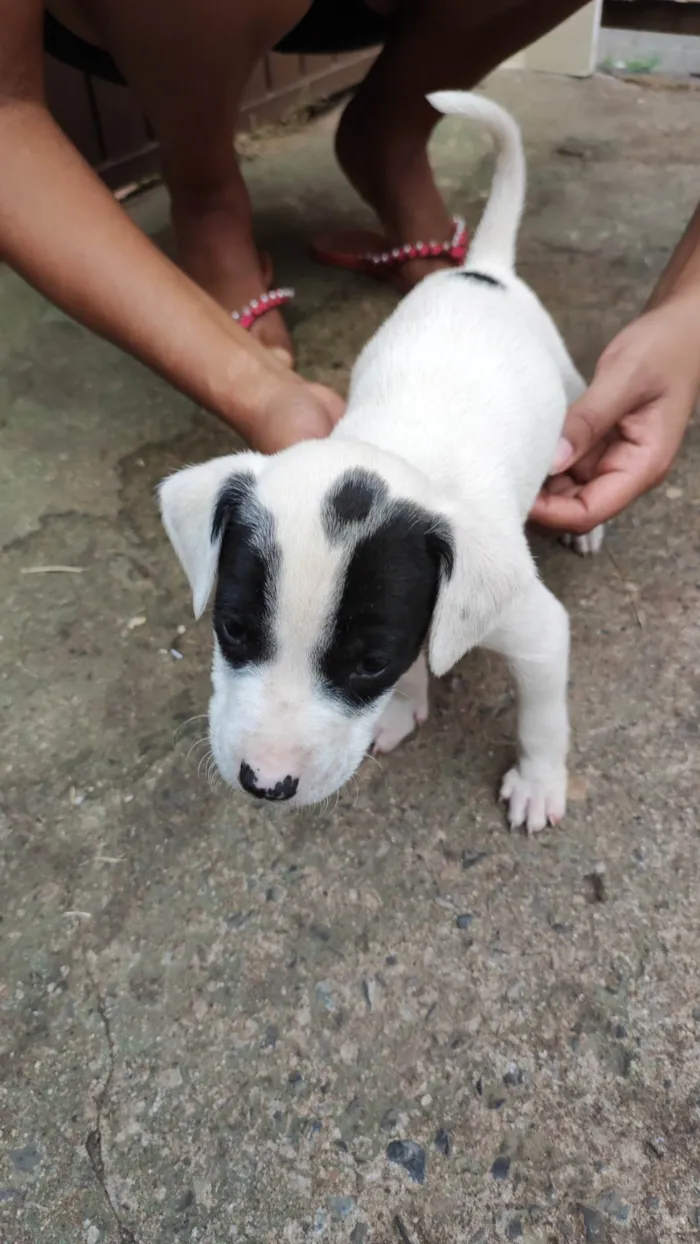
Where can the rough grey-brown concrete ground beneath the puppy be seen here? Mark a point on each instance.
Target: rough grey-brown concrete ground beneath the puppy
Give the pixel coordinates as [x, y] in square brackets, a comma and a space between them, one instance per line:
[395, 1023]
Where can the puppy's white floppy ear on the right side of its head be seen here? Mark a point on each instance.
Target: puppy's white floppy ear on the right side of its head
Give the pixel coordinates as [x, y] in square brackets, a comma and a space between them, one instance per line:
[484, 569]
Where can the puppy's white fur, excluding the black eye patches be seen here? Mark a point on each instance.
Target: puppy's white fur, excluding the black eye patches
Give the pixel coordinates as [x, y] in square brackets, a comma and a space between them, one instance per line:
[457, 404]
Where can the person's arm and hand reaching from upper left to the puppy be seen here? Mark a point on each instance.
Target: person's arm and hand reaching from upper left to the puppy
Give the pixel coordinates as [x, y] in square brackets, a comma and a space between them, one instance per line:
[62, 230]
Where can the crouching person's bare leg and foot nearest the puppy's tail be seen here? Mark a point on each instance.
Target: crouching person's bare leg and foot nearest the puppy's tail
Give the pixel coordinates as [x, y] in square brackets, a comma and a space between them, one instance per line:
[382, 140]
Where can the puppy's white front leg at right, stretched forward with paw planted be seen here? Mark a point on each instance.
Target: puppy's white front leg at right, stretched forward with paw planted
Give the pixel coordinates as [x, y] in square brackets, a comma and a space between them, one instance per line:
[534, 636]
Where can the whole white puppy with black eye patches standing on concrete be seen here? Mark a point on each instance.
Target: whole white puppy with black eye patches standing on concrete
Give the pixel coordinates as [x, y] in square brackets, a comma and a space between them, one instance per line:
[338, 563]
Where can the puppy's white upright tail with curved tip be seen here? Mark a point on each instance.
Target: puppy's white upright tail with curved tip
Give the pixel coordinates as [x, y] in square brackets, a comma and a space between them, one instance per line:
[495, 238]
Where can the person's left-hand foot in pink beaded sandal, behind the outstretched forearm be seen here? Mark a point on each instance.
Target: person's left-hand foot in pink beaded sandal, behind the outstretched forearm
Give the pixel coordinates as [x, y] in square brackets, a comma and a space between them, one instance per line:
[216, 247]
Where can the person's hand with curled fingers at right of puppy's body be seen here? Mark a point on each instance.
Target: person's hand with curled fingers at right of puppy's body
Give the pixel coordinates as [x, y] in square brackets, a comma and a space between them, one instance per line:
[622, 436]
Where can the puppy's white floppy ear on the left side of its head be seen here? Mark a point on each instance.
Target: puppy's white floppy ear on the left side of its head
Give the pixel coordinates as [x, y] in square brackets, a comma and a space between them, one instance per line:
[190, 508]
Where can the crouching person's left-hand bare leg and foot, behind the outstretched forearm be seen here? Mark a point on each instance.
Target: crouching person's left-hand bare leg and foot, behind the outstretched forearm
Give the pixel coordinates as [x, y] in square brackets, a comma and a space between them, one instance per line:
[188, 65]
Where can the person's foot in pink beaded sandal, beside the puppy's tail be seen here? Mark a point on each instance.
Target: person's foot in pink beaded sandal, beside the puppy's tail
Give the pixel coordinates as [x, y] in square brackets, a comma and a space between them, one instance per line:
[392, 174]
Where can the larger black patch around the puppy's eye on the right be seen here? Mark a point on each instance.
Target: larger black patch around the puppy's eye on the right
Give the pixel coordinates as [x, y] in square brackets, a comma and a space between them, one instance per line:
[385, 605]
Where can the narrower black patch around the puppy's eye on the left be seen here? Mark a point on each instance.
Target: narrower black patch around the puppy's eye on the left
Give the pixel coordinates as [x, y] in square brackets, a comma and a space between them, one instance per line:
[247, 584]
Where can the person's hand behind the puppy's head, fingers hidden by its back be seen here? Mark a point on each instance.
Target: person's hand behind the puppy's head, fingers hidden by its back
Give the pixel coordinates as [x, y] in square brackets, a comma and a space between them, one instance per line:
[295, 411]
